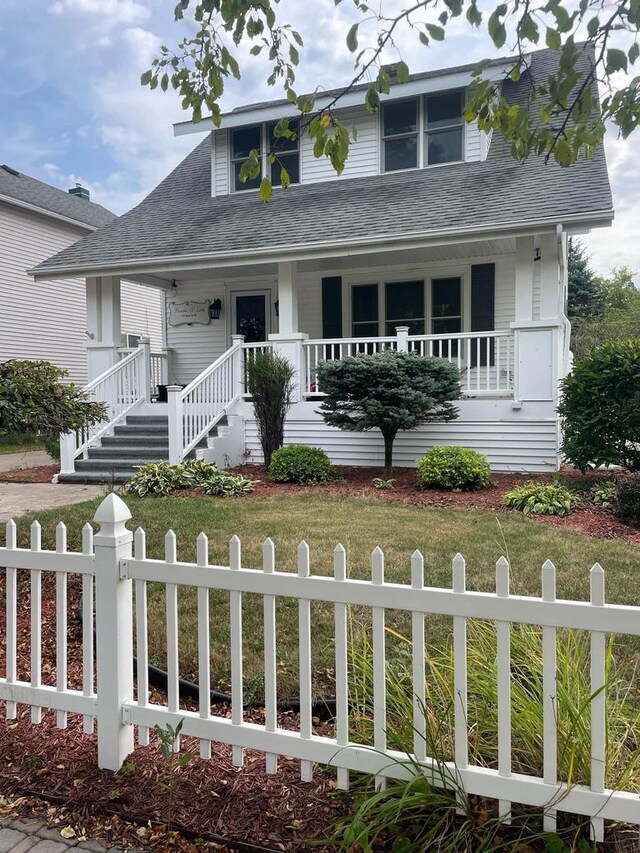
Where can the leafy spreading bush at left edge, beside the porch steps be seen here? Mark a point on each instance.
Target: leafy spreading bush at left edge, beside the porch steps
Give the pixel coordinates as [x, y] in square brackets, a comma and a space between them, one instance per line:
[33, 399]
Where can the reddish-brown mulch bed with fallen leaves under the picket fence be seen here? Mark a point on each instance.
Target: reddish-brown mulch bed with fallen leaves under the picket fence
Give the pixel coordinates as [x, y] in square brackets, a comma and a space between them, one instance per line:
[211, 799]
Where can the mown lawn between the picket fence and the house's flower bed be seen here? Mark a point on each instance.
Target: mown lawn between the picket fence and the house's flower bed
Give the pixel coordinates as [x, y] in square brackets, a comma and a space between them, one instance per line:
[324, 519]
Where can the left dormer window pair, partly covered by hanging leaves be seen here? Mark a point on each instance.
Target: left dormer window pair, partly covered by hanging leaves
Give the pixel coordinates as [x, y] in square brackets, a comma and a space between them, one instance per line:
[275, 154]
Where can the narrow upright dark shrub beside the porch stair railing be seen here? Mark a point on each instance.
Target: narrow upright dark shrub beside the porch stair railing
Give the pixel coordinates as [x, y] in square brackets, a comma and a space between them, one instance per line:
[269, 382]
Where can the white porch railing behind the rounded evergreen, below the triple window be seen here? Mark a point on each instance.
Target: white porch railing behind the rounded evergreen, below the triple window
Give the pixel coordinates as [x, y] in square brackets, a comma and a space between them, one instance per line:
[485, 359]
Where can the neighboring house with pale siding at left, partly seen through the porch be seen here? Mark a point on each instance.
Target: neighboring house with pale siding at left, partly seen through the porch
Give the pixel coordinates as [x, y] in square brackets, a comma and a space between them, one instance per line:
[48, 319]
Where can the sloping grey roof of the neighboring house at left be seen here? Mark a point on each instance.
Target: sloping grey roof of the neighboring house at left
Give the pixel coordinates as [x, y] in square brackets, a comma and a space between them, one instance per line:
[49, 199]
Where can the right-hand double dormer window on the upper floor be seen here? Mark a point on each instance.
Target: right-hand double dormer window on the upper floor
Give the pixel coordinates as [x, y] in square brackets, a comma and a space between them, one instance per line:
[423, 132]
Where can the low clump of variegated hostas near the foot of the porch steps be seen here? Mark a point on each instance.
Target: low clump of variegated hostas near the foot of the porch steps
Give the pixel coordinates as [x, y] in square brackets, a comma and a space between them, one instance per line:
[161, 478]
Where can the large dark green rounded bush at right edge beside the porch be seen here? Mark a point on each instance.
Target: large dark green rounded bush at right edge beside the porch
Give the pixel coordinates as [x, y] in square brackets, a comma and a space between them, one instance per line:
[600, 407]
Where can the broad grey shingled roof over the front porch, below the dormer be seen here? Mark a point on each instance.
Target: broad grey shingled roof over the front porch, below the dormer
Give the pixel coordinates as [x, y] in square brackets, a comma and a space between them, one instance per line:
[180, 218]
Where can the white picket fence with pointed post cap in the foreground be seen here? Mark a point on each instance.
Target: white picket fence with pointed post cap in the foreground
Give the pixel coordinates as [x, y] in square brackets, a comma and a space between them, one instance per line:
[114, 561]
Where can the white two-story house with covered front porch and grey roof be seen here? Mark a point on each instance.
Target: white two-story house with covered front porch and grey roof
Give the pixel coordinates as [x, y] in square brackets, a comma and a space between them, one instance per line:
[433, 240]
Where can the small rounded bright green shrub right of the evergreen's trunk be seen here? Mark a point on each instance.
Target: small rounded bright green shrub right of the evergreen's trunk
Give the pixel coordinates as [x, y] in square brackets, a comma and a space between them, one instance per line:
[455, 468]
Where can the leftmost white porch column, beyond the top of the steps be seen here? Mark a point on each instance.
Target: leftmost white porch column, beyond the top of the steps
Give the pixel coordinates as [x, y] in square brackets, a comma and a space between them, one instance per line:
[103, 323]
